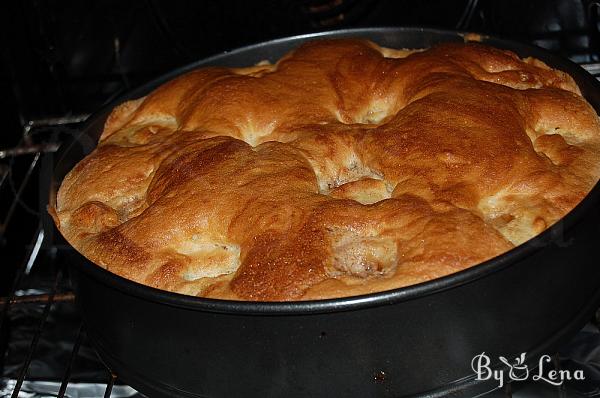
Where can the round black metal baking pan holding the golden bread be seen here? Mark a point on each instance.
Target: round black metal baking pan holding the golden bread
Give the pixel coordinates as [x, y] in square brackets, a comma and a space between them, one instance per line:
[414, 341]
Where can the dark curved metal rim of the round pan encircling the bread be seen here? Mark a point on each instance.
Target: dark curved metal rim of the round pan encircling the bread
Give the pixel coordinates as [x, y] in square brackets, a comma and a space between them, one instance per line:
[451, 281]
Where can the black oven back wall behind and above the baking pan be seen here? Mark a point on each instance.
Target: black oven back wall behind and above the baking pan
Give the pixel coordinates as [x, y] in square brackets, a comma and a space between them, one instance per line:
[64, 59]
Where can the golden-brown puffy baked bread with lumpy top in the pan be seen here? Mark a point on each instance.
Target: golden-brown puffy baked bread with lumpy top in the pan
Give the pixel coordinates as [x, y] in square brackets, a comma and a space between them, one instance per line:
[343, 169]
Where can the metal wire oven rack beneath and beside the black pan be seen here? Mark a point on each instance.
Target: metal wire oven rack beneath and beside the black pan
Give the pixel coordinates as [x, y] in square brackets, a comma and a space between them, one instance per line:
[39, 283]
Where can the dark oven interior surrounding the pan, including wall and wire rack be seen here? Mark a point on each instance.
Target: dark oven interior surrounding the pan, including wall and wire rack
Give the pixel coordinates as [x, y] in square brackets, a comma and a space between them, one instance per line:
[61, 61]
